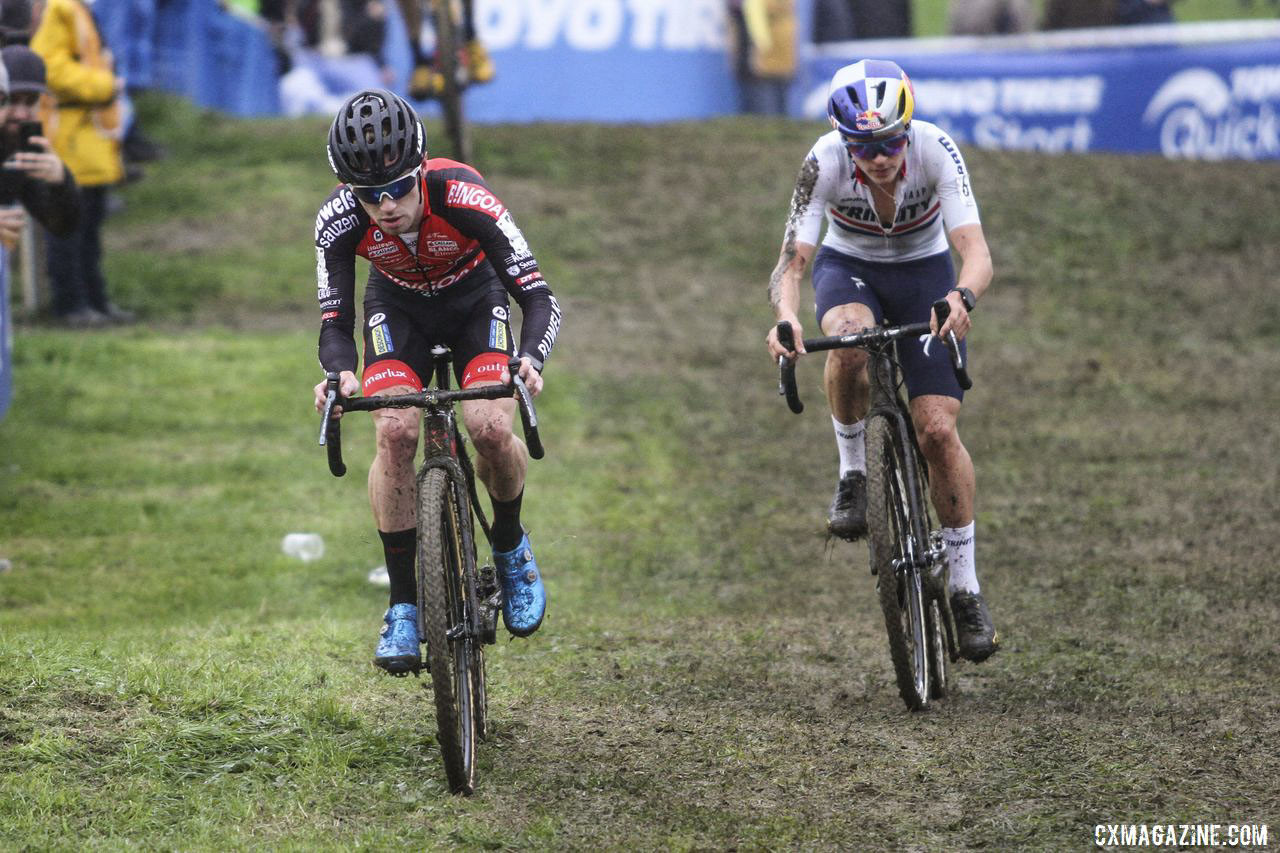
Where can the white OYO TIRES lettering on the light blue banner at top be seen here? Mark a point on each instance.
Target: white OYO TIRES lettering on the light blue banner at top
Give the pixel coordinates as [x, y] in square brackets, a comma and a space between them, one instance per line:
[604, 25]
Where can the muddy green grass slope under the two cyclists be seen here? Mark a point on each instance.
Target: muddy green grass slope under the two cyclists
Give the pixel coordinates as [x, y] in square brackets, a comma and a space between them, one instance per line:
[712, 673]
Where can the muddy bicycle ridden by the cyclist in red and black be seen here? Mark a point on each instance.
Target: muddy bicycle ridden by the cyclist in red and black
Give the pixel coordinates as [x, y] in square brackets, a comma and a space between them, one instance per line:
[458, 603]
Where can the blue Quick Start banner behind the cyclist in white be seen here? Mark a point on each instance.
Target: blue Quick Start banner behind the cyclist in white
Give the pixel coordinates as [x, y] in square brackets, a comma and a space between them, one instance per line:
[1212, 101]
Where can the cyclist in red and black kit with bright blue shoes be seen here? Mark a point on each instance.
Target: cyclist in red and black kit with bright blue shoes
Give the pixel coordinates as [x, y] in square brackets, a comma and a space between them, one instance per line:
[445, 254]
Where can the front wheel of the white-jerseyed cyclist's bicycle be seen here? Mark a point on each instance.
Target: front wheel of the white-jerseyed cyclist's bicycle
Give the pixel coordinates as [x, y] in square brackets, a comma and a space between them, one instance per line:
[894, 540]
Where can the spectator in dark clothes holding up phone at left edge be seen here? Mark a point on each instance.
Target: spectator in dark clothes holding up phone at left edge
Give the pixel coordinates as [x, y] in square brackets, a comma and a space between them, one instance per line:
[33, 179]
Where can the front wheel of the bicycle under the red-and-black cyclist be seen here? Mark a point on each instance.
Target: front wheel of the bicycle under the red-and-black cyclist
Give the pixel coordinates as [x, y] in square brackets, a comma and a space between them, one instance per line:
[446, 592]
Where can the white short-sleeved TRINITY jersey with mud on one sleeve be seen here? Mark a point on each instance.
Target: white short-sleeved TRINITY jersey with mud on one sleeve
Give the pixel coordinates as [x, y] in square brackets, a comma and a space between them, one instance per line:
[935, 190]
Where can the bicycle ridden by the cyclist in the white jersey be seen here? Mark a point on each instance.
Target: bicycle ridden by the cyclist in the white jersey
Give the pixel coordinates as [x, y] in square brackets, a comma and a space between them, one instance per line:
[907, 551]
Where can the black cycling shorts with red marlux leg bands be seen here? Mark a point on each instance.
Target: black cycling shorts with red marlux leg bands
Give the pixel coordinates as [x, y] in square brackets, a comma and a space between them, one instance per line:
[401, 327]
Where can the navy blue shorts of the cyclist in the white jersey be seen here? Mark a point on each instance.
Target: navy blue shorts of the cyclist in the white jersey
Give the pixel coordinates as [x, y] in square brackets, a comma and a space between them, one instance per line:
[897, 294]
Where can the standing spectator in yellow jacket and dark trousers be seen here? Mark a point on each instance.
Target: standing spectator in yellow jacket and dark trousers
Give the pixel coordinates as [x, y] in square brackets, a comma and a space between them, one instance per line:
[86, 130]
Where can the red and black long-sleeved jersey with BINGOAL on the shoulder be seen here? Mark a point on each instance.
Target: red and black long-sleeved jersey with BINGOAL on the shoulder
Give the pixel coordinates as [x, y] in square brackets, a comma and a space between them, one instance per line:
[468, 236]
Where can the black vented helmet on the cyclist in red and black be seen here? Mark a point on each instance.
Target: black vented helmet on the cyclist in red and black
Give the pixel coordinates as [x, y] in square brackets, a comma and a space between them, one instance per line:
[376, 138]
